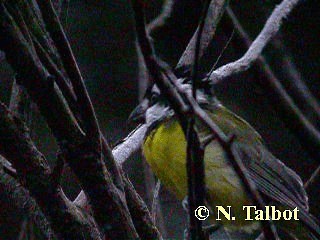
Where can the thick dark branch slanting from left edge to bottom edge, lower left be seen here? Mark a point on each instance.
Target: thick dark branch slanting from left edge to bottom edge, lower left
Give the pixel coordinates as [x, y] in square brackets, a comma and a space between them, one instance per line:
[35, 174]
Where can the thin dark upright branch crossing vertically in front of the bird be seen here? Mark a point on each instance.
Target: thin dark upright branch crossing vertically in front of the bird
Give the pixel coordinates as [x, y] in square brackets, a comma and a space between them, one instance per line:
[195, 153]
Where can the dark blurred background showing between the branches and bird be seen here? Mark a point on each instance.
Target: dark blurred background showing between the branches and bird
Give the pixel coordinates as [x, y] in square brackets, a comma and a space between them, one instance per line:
[102, 37]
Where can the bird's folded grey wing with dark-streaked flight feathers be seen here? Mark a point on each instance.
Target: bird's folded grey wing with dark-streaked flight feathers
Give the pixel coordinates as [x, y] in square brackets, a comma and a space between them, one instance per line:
[272, 177]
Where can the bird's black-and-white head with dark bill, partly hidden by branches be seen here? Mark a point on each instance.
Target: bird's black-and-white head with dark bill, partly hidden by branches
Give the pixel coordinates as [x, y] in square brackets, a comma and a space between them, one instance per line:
[154, 107]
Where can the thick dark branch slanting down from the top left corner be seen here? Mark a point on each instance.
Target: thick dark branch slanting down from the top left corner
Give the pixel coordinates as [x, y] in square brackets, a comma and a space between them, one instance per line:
[26, 63]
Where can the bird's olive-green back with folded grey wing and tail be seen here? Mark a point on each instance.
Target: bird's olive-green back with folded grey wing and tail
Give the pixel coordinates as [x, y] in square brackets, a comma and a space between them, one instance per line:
[273, 179]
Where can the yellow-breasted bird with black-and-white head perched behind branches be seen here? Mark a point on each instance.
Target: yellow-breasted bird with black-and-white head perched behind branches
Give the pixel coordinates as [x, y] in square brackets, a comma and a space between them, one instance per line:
[164, 149]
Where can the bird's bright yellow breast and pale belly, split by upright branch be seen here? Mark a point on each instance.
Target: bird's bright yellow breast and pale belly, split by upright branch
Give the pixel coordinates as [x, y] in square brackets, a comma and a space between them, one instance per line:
[165, 151]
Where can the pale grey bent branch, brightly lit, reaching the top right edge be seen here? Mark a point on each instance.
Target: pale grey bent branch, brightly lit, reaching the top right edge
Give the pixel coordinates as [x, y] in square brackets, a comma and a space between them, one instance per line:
[269, 30]
